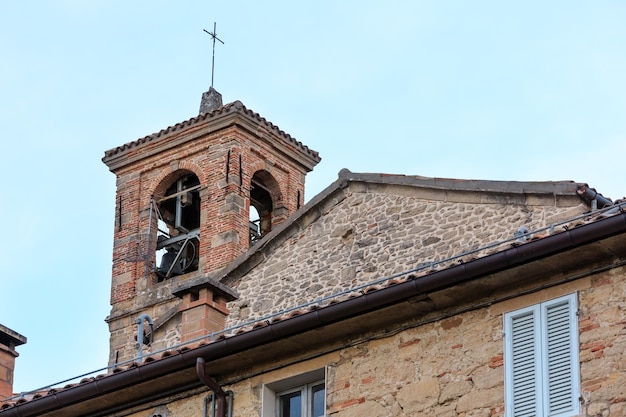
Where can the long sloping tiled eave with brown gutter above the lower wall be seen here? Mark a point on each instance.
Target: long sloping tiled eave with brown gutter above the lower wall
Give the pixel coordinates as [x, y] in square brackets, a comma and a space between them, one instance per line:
[606, 226]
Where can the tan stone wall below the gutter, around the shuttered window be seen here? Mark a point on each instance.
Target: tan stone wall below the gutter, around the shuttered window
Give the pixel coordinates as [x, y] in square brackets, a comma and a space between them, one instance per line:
[447, 365]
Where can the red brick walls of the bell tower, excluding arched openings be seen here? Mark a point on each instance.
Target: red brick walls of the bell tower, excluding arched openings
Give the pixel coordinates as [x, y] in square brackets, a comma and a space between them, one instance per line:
[224, 231]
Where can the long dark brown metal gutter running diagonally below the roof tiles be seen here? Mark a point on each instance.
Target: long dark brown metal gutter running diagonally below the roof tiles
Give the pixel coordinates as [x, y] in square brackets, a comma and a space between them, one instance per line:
[531, 251]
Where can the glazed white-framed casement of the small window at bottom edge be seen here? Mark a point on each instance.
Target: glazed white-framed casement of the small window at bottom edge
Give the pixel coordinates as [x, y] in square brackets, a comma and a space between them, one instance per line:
[304, 401]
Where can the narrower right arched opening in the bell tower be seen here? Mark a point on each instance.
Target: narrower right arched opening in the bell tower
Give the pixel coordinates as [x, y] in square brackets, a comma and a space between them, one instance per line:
[264, 193]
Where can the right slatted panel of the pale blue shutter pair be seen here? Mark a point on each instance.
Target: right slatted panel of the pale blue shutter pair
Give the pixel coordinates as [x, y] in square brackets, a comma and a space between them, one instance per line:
[560, 356]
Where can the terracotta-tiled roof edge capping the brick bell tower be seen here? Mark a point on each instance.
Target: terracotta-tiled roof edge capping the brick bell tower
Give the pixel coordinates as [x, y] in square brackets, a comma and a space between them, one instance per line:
[230, 108]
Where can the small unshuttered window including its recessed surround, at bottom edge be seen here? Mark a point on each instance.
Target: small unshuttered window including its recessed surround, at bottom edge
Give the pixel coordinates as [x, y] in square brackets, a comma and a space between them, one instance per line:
[300, 396]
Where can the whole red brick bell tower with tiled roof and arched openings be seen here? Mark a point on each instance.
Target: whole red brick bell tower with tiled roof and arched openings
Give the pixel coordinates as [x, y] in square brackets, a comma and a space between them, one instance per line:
[190, 199]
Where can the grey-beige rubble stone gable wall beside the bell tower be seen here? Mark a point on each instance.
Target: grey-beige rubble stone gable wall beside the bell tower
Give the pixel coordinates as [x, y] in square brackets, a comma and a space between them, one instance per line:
[370, 231]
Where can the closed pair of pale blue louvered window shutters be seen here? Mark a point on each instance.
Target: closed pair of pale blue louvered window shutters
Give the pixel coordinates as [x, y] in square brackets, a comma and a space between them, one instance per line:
[541, 360]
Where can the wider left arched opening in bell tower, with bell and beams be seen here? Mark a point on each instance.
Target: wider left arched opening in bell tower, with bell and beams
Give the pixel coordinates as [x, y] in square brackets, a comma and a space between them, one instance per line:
[178, 225]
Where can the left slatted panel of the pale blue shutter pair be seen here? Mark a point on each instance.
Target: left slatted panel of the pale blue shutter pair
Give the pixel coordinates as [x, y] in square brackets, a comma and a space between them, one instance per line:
[523, 377]
